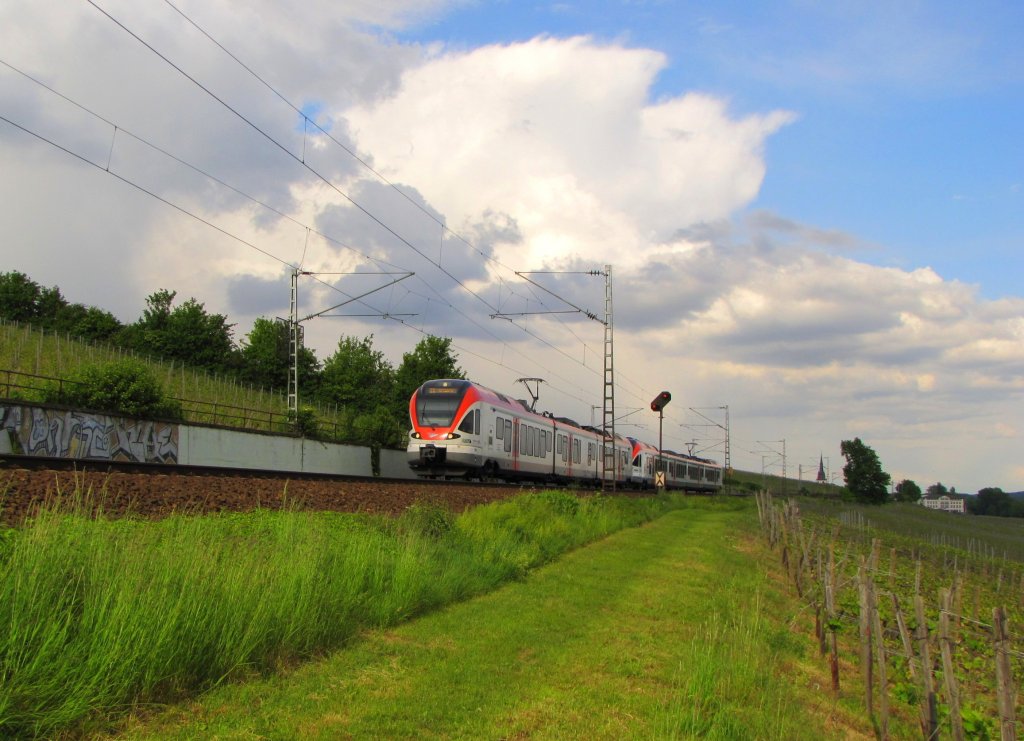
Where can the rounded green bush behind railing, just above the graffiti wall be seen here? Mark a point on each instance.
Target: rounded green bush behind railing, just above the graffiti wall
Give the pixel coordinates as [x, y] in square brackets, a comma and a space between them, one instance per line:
[124, 387]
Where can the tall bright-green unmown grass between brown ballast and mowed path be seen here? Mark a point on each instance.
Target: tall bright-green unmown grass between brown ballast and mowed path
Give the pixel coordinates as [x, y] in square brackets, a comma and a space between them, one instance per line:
[99, 617]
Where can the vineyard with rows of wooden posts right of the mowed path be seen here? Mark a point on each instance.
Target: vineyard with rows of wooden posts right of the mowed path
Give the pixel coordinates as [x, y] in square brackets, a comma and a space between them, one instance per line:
[926, 616]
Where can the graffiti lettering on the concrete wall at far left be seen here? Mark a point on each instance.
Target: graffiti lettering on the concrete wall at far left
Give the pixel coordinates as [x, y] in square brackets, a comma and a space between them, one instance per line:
[58, 433]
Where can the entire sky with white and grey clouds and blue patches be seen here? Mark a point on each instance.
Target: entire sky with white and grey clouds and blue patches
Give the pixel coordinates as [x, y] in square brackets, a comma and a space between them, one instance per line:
[814, 212]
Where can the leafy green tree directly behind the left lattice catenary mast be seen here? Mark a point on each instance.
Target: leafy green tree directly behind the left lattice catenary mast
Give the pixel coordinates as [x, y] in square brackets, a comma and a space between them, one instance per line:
[266, 359]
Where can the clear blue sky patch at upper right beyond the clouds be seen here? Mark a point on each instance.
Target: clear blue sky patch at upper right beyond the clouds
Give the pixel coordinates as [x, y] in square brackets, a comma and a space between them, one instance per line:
[910, 114]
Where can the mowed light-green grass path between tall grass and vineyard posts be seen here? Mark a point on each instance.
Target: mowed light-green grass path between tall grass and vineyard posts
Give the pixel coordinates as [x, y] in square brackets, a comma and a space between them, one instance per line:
[665, 631]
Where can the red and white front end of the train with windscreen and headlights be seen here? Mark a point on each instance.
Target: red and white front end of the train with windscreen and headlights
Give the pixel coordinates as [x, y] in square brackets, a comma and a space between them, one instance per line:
[446, 435]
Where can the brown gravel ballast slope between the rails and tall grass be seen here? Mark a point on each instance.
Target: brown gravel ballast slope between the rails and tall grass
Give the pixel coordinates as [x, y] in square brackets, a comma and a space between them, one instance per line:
[160, 495]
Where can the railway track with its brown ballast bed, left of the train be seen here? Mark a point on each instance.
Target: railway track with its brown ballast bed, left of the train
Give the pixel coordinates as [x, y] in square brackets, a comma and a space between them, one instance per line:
[152, 491]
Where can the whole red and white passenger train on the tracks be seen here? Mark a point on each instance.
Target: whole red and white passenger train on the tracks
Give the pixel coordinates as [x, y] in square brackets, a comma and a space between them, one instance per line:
[462, 429]
